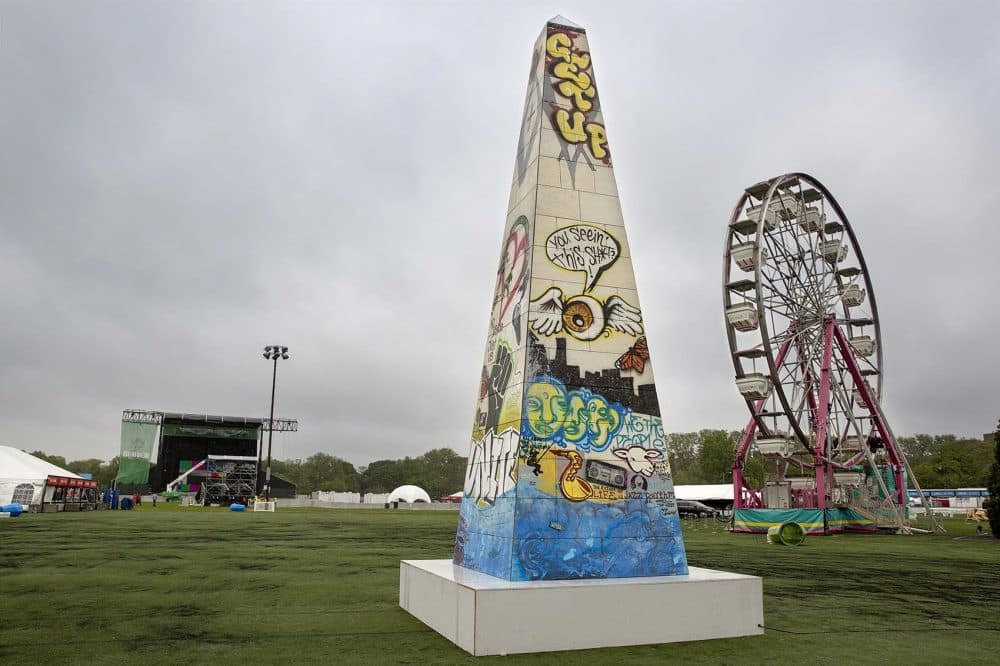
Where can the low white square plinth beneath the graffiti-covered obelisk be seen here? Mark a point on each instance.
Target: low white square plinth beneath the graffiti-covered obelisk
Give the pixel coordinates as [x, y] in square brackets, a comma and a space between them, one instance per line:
[485, 615]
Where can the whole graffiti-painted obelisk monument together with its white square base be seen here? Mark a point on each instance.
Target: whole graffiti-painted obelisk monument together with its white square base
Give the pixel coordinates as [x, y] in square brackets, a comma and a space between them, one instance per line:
[569, 501]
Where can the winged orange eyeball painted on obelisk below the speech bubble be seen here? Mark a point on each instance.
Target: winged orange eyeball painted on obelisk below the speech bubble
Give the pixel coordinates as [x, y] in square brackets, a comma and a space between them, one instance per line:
[582, 316]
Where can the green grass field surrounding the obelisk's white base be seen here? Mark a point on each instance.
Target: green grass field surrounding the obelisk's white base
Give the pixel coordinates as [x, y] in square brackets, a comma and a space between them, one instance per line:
[194, 585]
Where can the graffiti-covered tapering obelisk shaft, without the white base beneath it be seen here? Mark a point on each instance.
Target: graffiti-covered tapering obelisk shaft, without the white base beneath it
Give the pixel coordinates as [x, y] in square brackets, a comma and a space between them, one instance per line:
[568, 475]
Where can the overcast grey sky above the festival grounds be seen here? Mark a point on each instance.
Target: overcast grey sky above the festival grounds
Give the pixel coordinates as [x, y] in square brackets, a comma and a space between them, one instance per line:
[182, 183]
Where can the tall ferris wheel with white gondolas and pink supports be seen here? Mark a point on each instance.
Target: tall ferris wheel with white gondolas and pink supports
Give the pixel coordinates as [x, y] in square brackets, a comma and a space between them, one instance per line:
[806, 346]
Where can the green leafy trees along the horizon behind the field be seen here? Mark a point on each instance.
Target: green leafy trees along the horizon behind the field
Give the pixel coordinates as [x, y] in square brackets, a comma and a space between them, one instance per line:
[706, 456]
